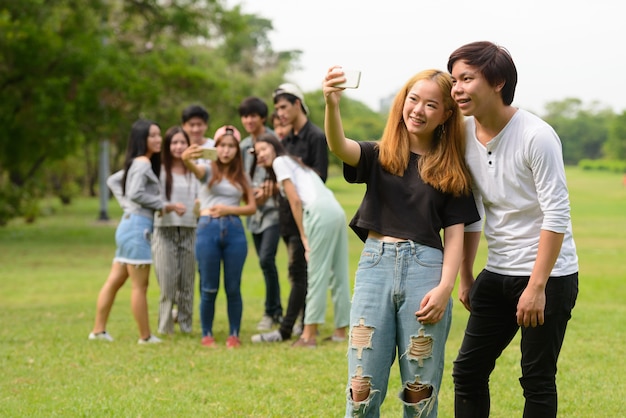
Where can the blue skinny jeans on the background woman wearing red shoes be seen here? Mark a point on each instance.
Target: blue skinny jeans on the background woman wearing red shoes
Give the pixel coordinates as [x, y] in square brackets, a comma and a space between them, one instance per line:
[220, 241]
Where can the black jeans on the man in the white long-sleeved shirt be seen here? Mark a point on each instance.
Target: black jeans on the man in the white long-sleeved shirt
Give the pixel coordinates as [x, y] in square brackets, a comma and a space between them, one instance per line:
[491, 327]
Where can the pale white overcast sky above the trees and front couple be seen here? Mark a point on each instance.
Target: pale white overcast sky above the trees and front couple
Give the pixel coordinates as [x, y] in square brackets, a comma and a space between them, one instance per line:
[562, 48]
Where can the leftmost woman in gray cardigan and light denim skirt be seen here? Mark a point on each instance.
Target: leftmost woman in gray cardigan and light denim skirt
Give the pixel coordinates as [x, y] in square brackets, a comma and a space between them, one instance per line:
[136, 188]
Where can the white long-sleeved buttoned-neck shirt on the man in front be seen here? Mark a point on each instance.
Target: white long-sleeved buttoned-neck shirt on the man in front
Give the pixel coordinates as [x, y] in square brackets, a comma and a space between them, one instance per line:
[519, 181]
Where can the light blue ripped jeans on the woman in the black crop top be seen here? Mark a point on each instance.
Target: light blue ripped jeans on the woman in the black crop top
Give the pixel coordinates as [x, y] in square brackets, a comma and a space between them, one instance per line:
[391, 280]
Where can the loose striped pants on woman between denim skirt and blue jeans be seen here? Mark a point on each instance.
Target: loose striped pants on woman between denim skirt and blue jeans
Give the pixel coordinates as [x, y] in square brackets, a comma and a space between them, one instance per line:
[174, 255]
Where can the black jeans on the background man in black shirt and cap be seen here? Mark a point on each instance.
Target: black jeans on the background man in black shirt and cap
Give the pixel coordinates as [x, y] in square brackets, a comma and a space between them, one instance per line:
[298, 278]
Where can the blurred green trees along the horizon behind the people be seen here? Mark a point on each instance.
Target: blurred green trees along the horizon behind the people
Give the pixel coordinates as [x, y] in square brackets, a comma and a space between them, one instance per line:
[76, 73]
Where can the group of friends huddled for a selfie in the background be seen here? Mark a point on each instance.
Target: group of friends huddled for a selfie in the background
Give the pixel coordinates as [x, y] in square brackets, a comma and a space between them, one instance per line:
[184, 214]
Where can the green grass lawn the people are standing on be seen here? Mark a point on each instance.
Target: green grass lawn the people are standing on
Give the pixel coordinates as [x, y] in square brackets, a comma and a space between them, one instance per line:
[52, 270]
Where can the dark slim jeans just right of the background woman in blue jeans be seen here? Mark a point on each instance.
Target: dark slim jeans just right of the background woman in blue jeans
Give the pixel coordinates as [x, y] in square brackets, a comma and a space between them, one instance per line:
[266, 245]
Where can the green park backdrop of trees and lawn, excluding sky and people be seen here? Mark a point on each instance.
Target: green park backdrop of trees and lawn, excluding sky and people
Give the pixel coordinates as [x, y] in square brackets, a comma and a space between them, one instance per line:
[74, 76]
